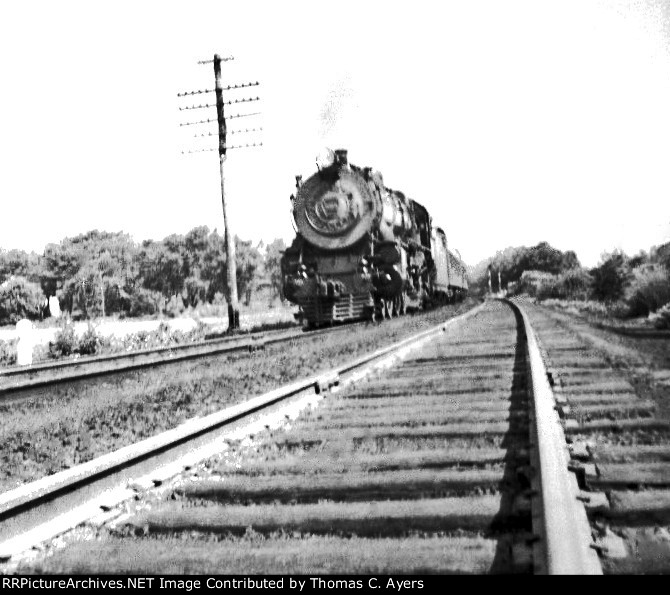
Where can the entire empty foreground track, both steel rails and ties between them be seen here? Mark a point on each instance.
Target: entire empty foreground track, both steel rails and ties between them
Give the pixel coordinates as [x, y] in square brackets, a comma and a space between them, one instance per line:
[444, 462]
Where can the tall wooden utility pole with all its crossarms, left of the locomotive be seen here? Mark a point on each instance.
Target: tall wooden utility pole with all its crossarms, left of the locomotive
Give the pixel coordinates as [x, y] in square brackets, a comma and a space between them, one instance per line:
[231, 268]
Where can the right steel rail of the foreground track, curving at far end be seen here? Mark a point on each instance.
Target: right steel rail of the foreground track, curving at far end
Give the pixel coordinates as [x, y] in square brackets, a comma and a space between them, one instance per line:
[559, 517]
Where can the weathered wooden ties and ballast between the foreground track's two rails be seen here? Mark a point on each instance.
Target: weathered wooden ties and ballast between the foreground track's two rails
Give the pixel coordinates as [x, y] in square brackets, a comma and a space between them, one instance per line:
[423, 468]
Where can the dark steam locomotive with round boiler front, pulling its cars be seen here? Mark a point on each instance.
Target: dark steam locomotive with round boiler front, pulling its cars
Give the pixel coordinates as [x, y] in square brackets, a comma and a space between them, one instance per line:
[362, 250]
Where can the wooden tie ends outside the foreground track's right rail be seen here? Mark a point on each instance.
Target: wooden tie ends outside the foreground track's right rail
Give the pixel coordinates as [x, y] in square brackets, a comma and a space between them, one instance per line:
[620, 445]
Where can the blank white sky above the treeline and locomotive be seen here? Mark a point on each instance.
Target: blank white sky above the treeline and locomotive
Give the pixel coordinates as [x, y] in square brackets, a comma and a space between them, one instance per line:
[513, 122]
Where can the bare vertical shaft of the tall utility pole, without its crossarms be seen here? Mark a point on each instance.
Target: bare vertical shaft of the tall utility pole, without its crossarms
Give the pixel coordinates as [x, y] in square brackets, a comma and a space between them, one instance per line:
[233, 304]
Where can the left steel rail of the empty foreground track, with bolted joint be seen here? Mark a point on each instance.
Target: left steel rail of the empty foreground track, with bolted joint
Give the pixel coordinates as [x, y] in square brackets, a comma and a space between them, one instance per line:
[37, 511]
